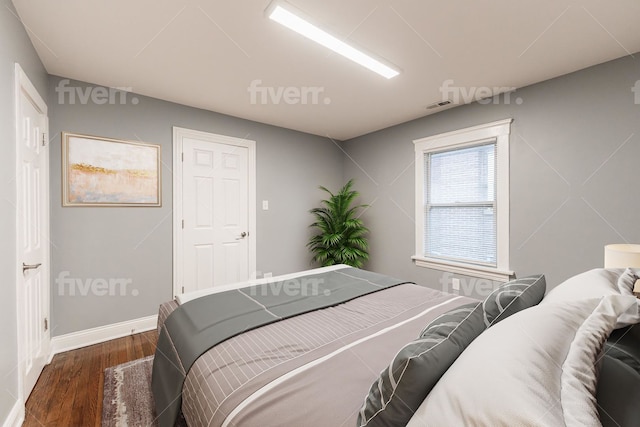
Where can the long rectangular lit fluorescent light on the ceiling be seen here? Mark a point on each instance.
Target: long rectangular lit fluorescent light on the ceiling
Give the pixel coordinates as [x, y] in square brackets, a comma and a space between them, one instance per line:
[310, 31]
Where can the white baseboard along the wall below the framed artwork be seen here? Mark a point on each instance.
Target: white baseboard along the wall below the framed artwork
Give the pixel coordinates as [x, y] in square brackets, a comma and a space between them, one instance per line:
[101, 334]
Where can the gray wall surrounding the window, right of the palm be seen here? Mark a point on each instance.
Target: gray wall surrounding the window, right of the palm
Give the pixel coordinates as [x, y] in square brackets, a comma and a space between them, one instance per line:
[575, 147]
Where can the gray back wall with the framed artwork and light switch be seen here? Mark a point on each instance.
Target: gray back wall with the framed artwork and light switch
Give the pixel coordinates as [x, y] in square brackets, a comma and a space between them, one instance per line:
[134, 243]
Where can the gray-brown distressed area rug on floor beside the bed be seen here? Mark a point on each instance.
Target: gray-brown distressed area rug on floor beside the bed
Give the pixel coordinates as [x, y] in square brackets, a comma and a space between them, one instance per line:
[127, 395]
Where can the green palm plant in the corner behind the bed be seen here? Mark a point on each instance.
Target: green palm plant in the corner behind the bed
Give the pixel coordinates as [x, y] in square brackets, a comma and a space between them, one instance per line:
[340, 238]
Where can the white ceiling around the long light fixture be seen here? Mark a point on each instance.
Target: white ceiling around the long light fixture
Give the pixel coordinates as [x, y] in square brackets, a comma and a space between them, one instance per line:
[206, 54]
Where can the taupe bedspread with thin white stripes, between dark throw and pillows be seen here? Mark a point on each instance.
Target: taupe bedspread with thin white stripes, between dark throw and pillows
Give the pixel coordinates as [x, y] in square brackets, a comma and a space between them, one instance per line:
[313, 369]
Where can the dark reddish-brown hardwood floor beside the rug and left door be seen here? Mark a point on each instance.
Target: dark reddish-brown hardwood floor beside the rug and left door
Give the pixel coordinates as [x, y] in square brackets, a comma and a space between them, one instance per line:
[69, 391]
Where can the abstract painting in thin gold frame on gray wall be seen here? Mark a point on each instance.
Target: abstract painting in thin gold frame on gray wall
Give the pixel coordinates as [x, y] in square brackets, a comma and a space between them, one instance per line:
[100, 171]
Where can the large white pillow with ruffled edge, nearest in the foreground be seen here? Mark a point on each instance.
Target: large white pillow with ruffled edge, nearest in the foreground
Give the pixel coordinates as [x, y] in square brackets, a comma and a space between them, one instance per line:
[537, 367]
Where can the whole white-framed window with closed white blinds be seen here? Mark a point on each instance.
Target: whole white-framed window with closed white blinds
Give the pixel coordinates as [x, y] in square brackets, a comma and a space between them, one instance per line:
[462, 201]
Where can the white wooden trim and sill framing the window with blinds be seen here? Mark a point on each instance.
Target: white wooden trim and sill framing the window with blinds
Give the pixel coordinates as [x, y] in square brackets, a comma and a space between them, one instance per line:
[468, 137]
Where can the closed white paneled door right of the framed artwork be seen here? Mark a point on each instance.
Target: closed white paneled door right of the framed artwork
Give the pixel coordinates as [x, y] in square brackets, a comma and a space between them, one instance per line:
[216, 209]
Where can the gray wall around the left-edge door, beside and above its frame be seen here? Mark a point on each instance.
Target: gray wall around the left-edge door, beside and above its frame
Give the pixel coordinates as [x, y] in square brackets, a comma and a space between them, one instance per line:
[15, 47]
